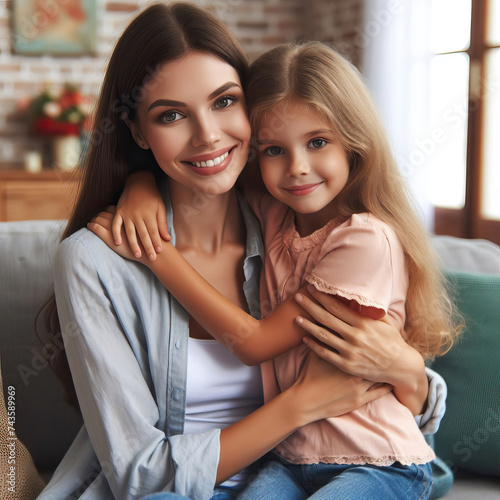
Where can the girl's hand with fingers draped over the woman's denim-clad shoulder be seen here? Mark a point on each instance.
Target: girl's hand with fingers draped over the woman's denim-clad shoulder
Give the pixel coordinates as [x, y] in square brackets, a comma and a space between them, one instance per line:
[142, 211]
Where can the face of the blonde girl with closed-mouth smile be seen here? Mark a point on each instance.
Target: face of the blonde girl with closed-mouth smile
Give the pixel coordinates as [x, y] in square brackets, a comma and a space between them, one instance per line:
[302, 163]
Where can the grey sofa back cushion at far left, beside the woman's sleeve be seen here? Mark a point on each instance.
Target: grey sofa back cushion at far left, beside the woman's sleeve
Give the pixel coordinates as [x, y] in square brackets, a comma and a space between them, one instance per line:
[44, 422]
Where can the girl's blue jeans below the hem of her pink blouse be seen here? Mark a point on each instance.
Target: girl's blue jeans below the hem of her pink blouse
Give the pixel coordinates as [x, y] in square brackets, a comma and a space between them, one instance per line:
[279, 479]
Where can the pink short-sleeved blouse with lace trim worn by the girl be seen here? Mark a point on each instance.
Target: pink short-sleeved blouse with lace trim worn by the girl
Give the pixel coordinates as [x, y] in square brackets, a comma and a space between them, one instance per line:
[360, 259]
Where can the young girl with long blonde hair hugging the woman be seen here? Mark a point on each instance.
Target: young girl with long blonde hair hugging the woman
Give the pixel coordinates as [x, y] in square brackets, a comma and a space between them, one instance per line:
[341, 221]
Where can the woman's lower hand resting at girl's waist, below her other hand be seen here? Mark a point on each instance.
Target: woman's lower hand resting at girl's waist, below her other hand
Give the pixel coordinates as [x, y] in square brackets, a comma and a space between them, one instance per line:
[323, 391]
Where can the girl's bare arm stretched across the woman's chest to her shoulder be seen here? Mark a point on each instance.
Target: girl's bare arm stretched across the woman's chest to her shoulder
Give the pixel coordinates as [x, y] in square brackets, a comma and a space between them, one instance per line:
[251, 340]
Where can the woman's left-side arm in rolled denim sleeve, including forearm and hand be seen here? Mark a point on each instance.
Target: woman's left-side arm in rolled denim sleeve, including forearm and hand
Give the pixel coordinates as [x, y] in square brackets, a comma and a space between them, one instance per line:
[122, 385]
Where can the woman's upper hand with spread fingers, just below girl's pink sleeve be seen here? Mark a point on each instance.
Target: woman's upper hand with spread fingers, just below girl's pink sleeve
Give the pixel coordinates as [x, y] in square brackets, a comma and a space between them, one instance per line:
[368, 348]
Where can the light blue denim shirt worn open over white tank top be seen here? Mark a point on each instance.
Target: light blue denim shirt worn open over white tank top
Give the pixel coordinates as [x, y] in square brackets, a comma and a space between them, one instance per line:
[126, 341]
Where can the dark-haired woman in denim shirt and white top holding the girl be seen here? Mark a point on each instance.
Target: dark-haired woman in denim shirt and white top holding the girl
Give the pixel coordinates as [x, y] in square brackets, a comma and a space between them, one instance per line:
[126, 338]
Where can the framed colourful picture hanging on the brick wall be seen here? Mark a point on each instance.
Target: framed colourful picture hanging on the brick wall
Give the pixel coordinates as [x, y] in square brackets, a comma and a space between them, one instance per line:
[54, 27]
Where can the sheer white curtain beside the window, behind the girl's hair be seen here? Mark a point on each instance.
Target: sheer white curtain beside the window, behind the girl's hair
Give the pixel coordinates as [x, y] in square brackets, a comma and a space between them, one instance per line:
[396, 59]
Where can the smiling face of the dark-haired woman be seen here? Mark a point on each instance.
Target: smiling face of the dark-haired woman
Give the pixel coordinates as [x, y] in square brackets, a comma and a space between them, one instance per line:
[194, 119]
